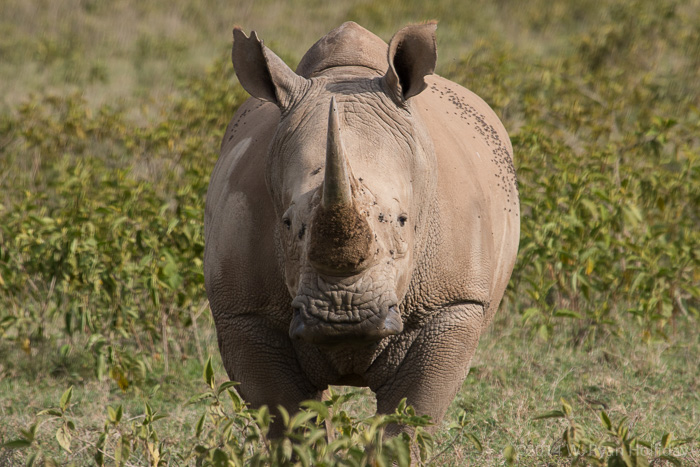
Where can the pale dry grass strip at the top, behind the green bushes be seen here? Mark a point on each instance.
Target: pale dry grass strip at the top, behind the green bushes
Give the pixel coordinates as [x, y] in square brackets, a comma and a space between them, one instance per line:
[139, 52]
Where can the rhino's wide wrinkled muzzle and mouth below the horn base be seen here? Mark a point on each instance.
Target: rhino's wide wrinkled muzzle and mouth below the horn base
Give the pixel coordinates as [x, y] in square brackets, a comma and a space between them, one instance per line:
[336, 314]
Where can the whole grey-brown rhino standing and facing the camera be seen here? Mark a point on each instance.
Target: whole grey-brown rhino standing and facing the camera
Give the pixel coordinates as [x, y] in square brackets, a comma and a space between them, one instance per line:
[361, 223]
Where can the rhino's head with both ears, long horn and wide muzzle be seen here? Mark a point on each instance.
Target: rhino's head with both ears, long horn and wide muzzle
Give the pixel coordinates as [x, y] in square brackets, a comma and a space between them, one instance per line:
[351, 173]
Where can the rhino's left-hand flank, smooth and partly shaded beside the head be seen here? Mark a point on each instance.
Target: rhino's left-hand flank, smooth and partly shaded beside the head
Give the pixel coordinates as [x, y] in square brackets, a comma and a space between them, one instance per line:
[241, 270]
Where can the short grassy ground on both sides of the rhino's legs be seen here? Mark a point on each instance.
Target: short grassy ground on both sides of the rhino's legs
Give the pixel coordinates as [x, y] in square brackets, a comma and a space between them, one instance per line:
[513, 379]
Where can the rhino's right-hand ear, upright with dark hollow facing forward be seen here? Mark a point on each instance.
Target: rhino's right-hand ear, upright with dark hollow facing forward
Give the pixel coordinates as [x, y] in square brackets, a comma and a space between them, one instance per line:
[412, 56]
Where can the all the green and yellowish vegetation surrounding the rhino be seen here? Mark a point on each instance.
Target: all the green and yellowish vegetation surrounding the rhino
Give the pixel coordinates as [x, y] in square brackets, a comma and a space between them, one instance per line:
[110, 122]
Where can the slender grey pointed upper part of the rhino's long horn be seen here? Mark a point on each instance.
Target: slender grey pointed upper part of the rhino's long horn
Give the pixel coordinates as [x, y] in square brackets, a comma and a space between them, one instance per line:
[336, 182]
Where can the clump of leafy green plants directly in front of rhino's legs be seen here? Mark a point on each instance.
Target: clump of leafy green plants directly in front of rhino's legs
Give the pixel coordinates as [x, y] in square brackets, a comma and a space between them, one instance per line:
[323, 433]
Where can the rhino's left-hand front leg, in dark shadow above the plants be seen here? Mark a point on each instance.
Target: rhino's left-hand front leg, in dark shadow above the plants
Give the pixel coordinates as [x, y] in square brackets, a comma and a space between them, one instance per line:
[262, 359]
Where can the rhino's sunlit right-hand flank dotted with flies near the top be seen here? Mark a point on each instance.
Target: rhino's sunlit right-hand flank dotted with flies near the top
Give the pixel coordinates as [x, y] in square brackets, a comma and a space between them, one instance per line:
[475, 236]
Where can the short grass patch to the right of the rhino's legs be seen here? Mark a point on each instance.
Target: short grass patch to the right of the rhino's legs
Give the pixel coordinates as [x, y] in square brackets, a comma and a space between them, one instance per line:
[513, 379]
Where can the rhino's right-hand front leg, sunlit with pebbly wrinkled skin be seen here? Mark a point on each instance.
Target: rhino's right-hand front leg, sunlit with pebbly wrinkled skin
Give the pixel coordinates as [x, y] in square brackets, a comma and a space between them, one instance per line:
[435, 365]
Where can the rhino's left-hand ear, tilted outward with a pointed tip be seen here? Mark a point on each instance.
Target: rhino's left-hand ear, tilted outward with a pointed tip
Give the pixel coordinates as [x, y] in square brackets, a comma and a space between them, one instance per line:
[262, 73]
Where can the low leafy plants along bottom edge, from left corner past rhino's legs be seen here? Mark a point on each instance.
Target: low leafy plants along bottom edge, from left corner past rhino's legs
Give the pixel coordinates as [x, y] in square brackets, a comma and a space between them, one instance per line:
[228, 432]
